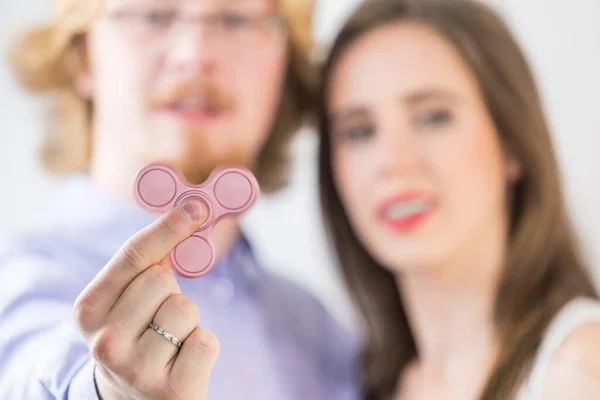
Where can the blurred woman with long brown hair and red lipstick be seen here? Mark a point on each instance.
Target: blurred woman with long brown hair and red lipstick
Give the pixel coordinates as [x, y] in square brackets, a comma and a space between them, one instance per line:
[441, 190]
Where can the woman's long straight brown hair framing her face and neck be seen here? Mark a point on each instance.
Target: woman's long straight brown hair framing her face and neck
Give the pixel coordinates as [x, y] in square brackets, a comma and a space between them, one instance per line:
[543, 270]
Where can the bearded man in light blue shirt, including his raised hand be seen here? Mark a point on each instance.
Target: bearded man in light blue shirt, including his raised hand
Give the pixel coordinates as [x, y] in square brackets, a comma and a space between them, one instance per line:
[197, 84]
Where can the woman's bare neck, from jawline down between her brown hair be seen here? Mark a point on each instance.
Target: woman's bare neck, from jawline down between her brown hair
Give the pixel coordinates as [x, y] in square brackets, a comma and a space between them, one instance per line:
[450, 310]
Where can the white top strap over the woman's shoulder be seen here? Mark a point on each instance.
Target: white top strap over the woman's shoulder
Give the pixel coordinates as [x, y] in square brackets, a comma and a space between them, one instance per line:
[576, 313]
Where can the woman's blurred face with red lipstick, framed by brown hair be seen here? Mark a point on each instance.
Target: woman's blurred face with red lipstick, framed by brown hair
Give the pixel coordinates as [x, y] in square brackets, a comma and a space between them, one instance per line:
[416, 158]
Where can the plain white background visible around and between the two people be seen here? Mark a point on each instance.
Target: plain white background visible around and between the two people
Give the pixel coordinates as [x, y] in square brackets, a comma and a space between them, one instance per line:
[561, 38]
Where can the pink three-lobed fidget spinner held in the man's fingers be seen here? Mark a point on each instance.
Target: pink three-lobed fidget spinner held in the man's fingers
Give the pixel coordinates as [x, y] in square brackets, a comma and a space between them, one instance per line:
[227, 191]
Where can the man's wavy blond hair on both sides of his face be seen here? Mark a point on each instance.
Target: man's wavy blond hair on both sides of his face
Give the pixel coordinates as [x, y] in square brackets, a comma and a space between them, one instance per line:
[46, 58]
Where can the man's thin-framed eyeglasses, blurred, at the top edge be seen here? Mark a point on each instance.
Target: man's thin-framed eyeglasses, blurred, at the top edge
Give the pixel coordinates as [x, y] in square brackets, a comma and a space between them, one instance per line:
[234, 33]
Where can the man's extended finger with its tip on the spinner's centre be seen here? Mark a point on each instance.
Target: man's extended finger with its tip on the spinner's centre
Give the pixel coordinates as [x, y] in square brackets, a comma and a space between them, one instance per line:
[145, 248]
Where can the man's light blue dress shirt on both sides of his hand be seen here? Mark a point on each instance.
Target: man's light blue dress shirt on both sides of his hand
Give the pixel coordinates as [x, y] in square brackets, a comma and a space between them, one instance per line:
[277, 341]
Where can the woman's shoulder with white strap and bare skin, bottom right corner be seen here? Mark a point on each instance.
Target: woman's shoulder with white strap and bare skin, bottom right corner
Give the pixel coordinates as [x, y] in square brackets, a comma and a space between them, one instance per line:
[568, 361]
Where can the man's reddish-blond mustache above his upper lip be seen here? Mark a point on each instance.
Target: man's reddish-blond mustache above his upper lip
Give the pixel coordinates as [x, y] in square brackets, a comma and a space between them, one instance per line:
[209, 94]
